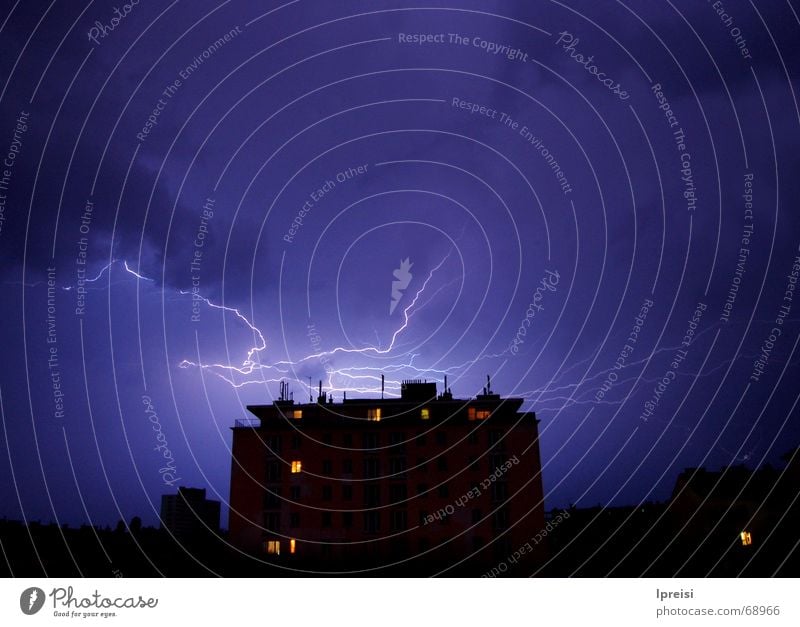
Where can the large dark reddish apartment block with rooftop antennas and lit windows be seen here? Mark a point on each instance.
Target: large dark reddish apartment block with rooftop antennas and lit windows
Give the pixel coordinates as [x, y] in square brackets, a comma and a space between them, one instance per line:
[425, 476]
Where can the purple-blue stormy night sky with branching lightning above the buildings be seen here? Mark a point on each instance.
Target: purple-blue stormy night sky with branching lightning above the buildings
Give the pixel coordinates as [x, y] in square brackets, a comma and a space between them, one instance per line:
[593, 202]
